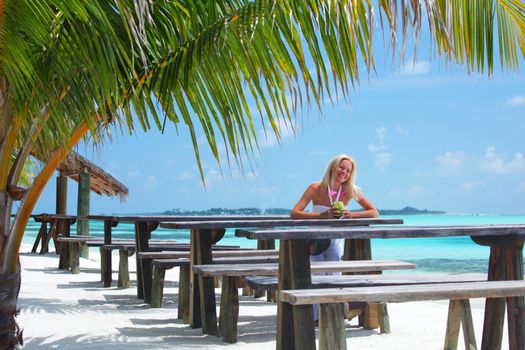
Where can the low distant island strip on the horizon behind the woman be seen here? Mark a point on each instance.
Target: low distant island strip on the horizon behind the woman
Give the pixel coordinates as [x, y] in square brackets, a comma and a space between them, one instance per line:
[282, 211]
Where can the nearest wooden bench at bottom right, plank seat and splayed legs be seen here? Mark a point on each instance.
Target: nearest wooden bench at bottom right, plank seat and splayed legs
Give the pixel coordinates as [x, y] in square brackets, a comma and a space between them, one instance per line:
[332, 329]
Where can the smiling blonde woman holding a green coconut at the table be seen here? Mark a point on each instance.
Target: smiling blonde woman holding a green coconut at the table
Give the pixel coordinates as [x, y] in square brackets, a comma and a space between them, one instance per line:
[336, 185]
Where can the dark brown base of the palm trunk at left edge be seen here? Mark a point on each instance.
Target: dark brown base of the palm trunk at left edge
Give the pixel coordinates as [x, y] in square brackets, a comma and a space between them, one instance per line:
[10, 333]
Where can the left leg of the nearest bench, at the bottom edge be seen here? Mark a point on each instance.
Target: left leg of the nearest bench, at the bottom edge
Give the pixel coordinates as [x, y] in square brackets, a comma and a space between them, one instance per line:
[332, 334]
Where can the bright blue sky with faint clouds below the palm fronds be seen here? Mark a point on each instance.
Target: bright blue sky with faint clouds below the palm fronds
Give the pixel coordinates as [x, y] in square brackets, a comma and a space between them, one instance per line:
[423, 134]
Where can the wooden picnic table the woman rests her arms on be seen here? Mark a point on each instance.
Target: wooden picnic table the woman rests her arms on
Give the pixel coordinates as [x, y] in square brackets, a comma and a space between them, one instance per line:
[202, 293]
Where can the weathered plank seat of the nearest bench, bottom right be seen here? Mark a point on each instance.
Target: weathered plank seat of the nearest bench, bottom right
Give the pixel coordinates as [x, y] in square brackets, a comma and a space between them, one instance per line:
[403, 293]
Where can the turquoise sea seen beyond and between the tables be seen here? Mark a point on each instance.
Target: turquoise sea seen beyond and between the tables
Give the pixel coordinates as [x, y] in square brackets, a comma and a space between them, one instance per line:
[451, 254]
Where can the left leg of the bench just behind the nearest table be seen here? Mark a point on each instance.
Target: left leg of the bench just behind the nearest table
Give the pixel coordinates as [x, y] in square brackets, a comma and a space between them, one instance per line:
[229, 312]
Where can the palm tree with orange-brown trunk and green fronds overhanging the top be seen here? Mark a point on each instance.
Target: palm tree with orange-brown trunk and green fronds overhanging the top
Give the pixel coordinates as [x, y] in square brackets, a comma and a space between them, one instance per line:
[69, 68]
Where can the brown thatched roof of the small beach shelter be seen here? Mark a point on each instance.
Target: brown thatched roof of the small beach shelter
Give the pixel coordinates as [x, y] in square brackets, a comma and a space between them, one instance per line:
[101, 181]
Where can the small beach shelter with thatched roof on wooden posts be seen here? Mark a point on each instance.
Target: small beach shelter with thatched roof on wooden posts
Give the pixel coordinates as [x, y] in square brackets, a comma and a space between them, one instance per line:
[90, 177]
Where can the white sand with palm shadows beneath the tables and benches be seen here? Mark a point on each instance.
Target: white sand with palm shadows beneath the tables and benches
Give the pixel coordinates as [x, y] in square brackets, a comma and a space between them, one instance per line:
[60, 310]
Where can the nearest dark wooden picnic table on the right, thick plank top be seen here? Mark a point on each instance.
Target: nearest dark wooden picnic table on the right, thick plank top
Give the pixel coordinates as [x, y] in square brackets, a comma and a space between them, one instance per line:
[295, 327]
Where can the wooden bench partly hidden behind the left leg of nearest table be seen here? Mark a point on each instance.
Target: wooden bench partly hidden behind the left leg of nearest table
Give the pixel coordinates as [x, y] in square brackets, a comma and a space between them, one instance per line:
[231, 274]
